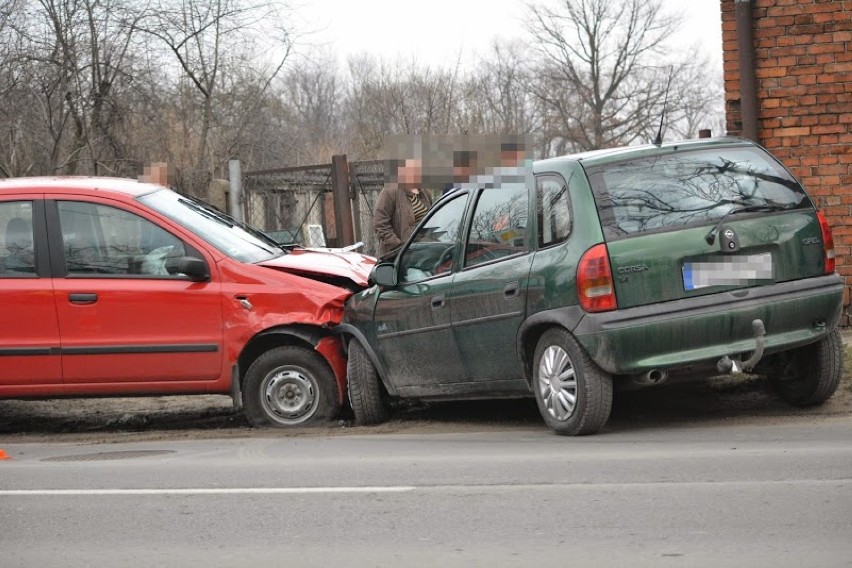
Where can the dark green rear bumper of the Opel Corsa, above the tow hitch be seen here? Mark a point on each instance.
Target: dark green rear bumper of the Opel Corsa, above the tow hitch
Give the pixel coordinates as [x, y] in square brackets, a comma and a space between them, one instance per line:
[703, 329]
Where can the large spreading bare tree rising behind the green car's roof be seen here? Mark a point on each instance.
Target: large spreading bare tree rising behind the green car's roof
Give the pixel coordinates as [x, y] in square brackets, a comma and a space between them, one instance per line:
[601, 61]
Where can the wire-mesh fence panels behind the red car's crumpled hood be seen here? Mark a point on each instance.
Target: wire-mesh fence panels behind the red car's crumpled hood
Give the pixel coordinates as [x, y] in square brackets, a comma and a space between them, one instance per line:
[298, 204]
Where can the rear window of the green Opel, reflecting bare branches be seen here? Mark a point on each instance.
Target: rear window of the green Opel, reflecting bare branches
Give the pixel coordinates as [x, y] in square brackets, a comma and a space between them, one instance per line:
[690, 188]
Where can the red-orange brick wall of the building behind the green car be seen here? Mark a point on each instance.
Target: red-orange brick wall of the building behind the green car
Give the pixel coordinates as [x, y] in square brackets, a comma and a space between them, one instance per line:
[803, 69]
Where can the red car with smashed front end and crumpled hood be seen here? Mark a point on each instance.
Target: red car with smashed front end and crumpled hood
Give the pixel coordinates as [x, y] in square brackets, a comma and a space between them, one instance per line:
[115, 287]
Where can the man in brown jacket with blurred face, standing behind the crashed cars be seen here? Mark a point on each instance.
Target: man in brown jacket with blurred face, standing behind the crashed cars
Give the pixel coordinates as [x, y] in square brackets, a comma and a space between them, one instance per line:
[400, 207]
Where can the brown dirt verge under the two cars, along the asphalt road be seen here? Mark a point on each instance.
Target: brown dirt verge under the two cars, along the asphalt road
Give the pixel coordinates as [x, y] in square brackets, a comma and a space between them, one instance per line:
[104, 420]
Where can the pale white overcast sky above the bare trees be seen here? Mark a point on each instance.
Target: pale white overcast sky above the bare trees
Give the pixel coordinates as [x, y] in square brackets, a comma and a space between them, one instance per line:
[441, 32]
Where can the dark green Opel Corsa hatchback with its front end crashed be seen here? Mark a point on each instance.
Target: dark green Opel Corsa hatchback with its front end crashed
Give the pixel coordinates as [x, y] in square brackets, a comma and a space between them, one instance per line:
[634, 264]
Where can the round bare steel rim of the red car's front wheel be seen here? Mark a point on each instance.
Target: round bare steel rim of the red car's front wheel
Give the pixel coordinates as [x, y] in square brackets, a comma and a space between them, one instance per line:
[289, 395]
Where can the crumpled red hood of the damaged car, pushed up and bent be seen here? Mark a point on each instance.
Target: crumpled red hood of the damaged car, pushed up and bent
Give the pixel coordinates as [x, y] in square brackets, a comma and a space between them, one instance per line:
[306, 262]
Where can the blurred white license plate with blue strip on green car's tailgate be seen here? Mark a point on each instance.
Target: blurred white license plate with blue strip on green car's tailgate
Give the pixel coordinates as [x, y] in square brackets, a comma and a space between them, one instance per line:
[727, 271]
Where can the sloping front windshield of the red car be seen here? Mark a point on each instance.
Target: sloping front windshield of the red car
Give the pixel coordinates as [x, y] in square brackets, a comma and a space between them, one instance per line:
[217, 229]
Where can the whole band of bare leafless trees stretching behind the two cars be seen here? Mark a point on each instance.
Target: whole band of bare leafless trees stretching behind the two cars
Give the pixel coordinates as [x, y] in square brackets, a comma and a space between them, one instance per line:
[105, 86]
